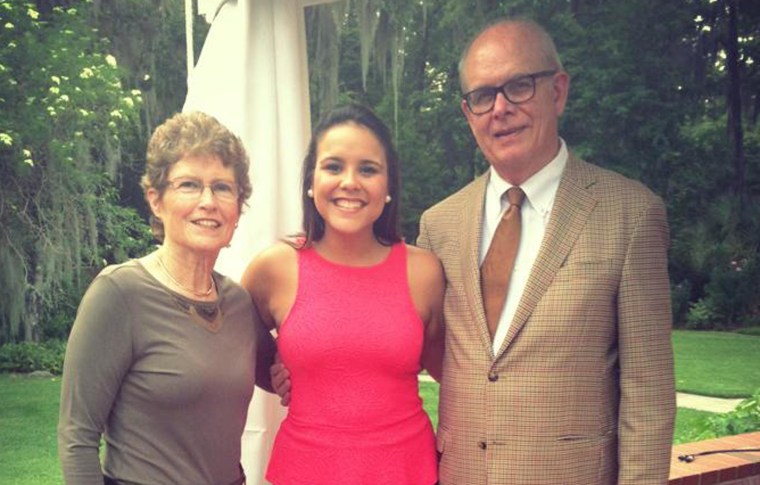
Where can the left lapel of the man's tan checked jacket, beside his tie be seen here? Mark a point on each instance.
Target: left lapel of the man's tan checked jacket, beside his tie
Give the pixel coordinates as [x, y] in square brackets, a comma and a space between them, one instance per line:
[472, 228]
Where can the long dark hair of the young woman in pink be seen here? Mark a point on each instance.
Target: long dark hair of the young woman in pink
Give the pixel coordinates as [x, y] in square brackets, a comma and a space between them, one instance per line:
[385, 228]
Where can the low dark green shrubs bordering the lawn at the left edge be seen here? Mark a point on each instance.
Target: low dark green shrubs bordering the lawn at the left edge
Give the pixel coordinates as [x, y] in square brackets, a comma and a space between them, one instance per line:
[32, 356]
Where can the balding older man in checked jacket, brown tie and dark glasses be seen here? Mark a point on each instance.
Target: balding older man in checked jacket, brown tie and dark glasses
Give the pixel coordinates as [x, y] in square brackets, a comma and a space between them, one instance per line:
[568, 379]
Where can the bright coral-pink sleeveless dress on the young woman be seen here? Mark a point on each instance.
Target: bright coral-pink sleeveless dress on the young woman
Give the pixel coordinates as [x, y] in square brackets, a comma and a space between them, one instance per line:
[352, 343]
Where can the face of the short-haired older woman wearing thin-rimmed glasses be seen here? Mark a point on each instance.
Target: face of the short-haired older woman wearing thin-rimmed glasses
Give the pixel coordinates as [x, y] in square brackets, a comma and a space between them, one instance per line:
[199, 208]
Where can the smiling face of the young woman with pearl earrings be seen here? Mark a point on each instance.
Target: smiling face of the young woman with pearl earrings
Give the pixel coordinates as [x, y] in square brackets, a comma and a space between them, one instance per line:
[350, 179]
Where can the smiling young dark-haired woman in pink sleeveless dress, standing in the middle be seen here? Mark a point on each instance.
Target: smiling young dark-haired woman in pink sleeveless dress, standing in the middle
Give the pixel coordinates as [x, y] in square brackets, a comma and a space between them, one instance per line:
[357, 313]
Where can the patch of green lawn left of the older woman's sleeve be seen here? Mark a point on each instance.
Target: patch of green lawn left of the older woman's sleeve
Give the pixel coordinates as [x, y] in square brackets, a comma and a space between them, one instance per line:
[28, 418]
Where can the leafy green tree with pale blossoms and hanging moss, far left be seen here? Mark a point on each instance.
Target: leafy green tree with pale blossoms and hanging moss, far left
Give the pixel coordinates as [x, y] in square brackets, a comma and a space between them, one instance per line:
[64, 115]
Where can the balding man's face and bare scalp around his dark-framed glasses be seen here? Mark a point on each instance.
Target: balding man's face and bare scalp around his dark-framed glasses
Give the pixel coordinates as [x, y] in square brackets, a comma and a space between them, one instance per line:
[516, 139]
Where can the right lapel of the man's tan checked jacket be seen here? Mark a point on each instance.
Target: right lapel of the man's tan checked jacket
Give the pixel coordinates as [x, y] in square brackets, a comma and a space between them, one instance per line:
[573, 204]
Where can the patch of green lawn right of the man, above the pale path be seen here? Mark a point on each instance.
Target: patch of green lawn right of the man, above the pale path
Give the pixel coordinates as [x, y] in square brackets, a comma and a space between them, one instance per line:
[719, 364]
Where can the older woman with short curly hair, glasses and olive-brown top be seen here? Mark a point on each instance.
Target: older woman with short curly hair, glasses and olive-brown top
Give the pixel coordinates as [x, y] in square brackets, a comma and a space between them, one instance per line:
[161, 360]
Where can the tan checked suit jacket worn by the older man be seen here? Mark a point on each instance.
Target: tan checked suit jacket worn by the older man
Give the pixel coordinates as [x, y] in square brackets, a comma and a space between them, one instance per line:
[582, 390]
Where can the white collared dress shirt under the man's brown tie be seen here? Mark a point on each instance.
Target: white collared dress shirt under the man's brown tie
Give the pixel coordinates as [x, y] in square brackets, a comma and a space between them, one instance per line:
[539, 190]
